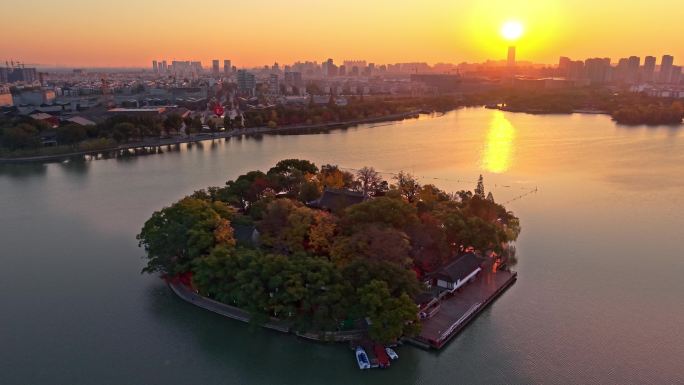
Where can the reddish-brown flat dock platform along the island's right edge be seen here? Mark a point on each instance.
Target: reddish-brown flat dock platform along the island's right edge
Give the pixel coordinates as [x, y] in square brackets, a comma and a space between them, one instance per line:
[458, 309]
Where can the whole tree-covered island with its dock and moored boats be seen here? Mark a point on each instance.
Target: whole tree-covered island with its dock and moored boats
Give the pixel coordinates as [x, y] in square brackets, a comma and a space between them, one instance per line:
[332, 255]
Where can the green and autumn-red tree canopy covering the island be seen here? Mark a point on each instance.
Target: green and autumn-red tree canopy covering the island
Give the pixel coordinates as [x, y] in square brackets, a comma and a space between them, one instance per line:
[319, 269]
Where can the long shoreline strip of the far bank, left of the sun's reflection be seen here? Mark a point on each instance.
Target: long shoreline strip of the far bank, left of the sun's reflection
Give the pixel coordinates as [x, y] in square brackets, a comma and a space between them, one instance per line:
[287, 130]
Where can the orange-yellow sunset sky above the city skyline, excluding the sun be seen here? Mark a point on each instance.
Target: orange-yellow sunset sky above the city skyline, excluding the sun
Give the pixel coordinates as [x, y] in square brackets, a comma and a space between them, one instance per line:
[256, 32]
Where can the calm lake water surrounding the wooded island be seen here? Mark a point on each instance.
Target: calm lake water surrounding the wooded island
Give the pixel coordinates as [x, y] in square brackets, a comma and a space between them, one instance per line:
[599, 297]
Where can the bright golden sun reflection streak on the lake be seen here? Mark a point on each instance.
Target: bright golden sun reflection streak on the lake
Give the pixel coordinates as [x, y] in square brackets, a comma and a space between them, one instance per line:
[498, 150]
